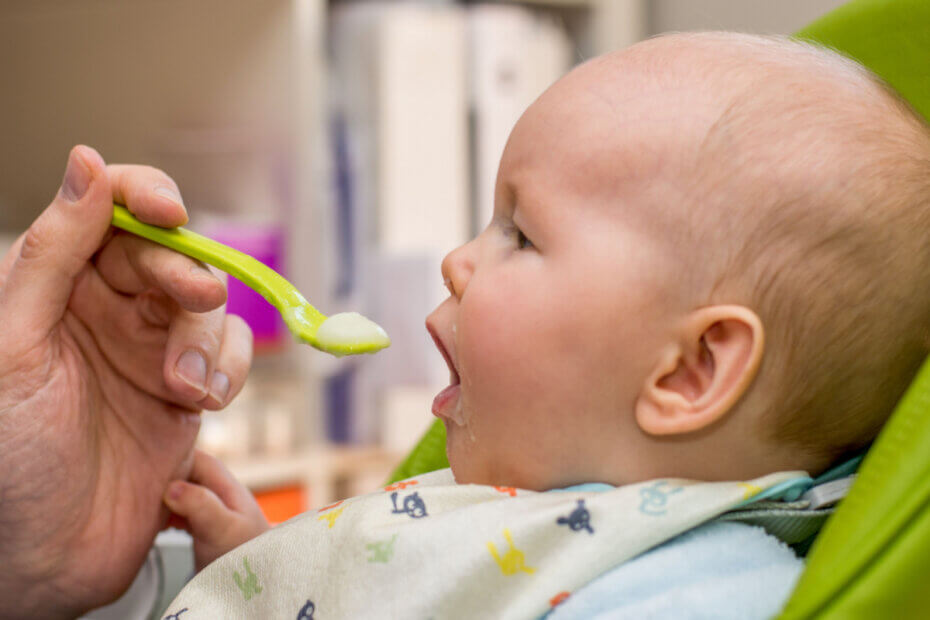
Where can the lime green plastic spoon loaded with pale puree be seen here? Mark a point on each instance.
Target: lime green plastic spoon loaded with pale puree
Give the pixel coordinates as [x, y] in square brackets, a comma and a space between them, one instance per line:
[345, 333]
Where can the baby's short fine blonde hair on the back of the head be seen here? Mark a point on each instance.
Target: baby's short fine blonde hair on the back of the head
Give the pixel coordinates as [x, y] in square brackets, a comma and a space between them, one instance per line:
[823, 191]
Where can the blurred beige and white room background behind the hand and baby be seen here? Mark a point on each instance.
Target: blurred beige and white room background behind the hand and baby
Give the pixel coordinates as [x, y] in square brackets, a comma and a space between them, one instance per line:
[348, 144]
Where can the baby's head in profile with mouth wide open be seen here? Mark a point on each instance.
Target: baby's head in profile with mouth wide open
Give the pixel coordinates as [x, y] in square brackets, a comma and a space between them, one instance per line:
[708, 259]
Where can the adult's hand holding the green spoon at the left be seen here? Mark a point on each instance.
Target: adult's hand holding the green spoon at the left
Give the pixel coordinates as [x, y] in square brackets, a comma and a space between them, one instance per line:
[109, 347]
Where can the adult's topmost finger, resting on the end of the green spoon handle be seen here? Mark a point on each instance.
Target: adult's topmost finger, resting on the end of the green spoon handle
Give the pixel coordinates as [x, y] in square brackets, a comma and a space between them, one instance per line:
[150, 194]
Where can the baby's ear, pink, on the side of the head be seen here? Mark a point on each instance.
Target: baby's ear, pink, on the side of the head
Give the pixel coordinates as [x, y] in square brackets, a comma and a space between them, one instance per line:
[700, 376]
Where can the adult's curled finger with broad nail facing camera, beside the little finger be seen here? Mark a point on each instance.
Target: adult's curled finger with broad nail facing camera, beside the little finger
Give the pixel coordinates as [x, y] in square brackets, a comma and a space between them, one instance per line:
[191, 352]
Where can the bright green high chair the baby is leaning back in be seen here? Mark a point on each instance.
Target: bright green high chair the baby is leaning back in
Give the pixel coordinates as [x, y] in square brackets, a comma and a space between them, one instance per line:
[872, 558]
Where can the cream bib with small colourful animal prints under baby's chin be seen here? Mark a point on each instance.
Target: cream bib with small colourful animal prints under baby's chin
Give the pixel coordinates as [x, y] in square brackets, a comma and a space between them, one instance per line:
[427, 547]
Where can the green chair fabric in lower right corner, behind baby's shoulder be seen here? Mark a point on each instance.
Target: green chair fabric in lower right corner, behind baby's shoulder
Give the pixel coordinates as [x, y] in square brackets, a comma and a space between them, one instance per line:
[872, 558]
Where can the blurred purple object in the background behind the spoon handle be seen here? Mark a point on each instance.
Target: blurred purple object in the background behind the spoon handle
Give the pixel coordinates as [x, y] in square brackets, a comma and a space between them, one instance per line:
[265, 242]
